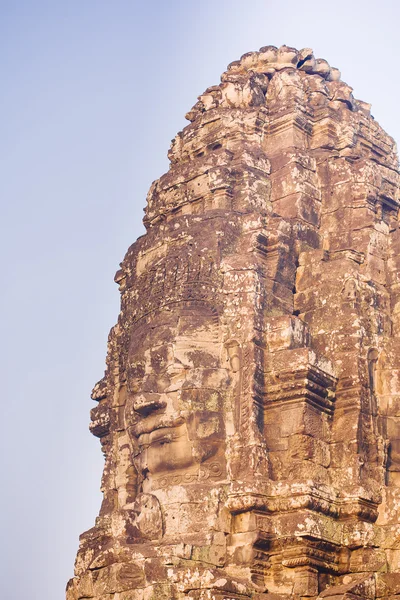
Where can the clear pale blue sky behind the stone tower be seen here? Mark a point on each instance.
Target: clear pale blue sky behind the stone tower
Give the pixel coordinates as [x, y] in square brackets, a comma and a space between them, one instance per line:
[92, 93]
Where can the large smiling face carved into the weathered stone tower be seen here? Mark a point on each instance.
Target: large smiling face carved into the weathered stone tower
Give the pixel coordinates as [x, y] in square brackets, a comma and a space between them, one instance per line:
[176, 383]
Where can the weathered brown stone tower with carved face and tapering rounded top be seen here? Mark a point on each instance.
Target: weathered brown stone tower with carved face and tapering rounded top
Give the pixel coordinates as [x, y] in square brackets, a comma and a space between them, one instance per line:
[250, 410]
